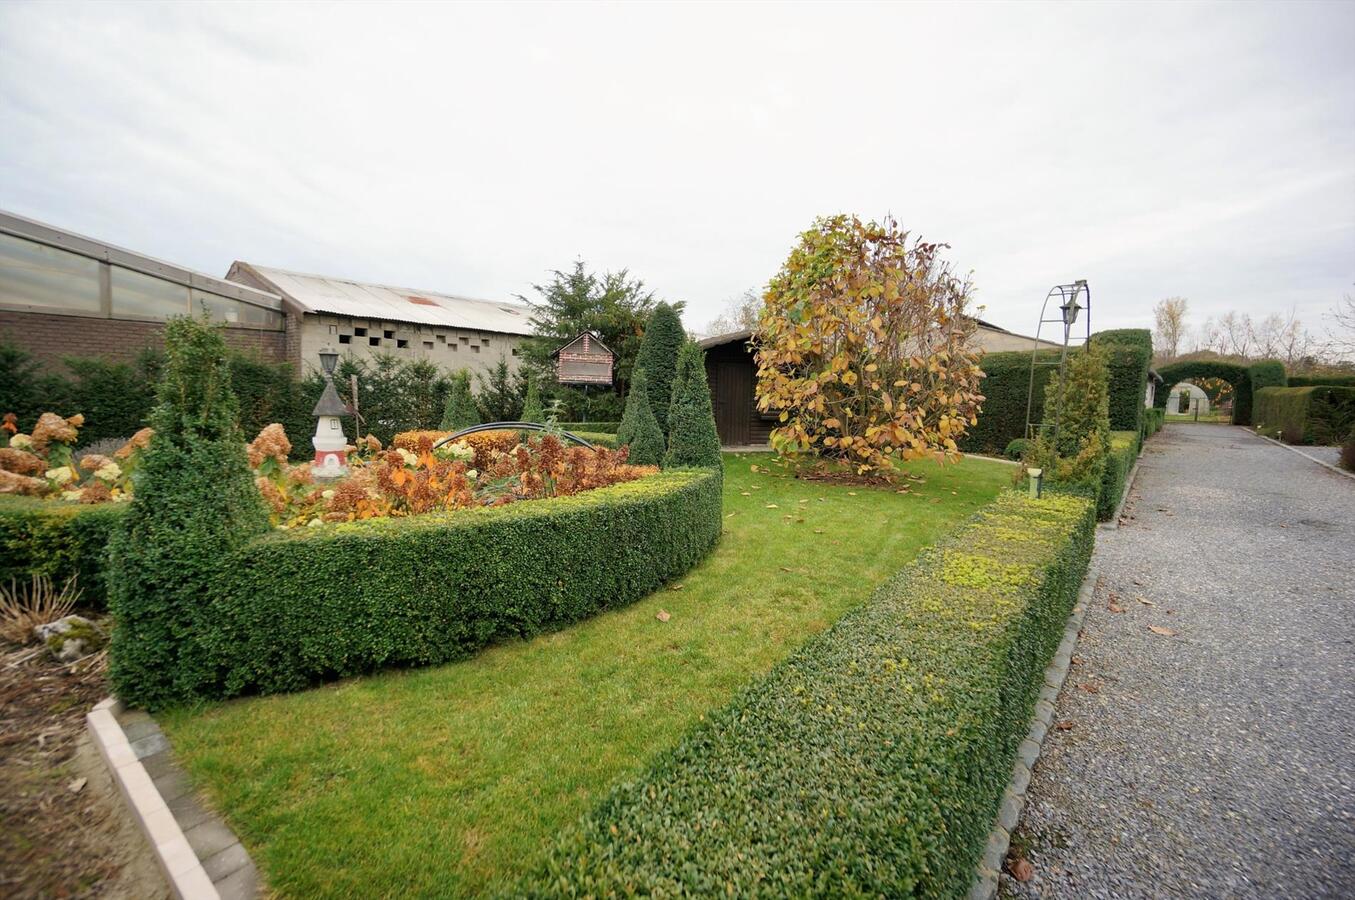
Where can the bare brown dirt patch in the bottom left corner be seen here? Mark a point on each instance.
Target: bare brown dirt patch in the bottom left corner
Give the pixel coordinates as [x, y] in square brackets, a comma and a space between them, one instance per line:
[64, 832]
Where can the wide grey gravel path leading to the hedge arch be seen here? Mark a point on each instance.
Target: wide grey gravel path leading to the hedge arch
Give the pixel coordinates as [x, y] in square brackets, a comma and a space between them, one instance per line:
[1217, 760]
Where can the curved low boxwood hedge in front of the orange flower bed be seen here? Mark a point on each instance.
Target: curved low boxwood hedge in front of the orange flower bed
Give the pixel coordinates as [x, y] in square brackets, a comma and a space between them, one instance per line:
[311, 605]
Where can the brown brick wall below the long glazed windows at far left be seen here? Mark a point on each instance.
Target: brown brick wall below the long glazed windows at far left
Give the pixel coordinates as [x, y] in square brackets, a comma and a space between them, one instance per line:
[51, 338]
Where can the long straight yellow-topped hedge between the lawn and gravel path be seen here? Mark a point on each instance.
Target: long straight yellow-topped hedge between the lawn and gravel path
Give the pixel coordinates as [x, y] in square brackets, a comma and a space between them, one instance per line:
[869, 764]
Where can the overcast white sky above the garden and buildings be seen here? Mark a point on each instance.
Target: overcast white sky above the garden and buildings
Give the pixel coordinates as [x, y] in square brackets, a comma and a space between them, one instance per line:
[1155, 150]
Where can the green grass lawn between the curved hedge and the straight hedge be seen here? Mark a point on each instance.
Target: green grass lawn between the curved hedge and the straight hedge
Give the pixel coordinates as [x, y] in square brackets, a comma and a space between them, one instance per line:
[453, 780]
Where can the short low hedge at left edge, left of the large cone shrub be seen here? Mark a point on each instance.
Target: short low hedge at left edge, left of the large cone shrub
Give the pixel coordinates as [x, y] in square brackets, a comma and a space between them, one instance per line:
[59, 540]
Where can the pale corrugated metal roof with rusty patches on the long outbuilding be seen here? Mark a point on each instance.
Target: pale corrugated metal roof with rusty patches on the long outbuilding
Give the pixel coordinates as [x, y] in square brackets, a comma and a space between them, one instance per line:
[361, 300]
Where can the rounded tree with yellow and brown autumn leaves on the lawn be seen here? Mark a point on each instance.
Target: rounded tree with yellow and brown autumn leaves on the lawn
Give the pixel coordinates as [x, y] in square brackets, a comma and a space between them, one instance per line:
[864, 349]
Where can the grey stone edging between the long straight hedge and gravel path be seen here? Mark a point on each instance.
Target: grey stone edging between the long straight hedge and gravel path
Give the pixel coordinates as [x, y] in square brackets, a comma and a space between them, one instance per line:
[1014, 799]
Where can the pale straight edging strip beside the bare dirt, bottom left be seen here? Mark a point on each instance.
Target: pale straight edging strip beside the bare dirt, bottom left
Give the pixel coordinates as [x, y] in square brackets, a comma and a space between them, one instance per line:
[185, 874]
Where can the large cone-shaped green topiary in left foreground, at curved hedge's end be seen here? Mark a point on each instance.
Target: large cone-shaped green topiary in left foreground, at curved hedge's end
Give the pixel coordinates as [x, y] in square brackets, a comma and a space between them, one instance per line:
[196, 502]
